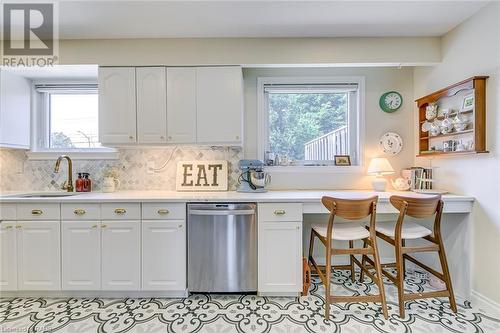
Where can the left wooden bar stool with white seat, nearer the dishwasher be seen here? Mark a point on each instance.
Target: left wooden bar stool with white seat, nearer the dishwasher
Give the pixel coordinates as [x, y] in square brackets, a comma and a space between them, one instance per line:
[351, 210]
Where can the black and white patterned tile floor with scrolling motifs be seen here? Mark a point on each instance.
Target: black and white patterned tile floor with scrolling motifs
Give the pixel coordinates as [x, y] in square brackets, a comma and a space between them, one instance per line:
[237, 313]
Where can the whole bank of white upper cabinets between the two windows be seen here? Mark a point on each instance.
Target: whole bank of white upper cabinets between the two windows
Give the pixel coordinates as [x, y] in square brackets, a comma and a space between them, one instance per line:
[177, 105]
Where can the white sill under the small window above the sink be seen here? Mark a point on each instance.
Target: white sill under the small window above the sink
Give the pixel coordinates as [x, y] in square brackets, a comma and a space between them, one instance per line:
[99, 154]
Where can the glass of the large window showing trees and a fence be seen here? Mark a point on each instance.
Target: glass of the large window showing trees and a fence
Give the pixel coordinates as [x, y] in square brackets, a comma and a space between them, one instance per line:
[308, 126]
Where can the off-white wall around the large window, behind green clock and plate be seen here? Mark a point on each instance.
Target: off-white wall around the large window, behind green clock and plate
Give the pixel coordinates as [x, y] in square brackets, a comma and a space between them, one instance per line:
[377, 122]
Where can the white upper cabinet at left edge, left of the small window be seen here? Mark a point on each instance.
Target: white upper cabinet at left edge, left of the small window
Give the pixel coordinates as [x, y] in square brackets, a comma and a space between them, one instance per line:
[15, 101]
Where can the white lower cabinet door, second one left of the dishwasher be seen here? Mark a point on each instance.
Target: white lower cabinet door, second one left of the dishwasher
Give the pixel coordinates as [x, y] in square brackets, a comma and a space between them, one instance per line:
[121, 255]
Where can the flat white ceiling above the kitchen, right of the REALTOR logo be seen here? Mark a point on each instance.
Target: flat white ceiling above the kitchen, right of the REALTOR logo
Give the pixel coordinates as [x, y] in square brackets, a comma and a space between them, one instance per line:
[183, 19]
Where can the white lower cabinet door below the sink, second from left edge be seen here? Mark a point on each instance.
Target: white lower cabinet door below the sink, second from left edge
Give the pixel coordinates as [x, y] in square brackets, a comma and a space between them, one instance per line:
[38, 251]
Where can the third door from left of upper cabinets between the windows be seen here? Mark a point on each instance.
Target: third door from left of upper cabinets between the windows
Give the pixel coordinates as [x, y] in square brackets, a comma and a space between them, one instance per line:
[181, 104]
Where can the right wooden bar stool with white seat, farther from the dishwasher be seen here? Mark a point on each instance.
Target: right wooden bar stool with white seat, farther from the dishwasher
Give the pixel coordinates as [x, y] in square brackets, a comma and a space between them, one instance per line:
[396, 233]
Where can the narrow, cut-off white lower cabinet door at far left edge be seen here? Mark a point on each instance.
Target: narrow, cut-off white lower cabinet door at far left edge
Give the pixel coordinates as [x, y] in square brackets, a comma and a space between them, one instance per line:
[8, 256]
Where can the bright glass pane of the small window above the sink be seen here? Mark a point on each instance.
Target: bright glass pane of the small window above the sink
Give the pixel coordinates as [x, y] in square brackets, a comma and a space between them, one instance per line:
[73, 121]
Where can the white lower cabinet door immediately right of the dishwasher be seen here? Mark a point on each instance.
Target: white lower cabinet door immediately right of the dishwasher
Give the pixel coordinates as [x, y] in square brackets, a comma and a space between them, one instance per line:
[280, 257]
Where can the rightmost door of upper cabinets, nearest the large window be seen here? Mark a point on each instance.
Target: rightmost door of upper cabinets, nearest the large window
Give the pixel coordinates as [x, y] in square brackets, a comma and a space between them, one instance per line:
[219, 104]
